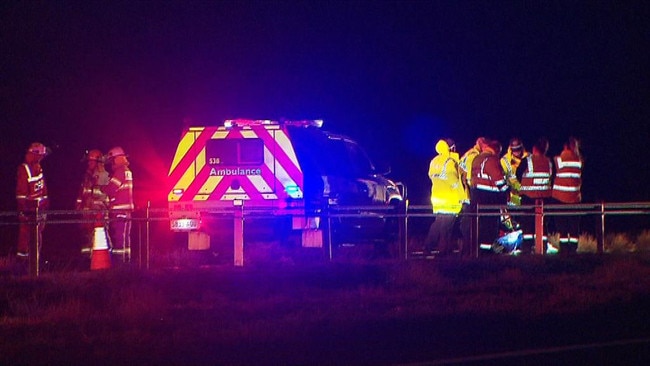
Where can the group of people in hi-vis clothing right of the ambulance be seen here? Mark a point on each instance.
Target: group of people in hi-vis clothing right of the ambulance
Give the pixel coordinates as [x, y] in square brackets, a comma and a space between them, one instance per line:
[482, 176]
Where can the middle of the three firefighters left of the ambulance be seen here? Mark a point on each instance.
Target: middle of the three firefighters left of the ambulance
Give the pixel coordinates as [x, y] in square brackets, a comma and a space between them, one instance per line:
[91, 198]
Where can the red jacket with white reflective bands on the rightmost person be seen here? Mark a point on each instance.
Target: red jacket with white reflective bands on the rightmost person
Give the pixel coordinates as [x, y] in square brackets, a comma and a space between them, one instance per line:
[568, 177]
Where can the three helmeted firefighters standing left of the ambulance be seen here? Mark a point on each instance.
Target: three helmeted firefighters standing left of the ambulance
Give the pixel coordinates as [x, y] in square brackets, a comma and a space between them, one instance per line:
[105, 199]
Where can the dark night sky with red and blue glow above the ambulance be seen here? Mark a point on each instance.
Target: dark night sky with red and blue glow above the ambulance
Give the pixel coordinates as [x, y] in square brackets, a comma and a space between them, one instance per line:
[395, 75]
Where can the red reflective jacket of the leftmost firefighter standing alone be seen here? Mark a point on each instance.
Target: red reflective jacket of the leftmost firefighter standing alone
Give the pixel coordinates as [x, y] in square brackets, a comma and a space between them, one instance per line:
[31, 190]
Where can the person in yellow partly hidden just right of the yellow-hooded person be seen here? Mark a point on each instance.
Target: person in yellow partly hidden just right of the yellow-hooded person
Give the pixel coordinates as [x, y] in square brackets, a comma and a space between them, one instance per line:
[465, 169]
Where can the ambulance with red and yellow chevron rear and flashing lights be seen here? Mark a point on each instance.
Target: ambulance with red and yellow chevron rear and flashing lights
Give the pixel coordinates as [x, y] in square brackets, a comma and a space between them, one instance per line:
[287, 173]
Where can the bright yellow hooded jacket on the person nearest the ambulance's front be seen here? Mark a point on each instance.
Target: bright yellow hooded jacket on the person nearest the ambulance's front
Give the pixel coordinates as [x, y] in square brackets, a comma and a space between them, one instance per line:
[447, 190]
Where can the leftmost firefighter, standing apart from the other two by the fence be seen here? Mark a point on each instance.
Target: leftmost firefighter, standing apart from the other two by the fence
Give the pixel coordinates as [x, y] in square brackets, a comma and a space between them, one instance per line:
[31, 199]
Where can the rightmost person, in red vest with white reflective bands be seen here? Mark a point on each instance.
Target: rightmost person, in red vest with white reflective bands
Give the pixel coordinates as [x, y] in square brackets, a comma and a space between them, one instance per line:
[566, 190]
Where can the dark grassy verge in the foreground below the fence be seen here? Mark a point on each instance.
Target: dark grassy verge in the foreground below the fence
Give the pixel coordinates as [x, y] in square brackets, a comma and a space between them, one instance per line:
[297, 313]
